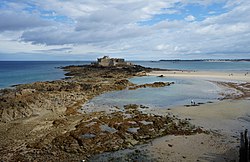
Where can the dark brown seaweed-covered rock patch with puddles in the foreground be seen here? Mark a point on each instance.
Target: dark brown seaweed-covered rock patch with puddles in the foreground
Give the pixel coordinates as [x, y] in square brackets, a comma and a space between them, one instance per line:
[108, 132]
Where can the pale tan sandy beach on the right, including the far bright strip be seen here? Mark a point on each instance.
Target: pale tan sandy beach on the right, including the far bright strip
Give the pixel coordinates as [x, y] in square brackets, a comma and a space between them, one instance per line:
[225, 119]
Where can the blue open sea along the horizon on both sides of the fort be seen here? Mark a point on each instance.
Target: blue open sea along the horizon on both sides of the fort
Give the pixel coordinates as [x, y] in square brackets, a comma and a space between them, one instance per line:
[22, 72]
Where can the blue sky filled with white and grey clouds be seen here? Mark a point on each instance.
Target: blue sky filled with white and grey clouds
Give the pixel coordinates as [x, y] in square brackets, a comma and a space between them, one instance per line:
[130, 29]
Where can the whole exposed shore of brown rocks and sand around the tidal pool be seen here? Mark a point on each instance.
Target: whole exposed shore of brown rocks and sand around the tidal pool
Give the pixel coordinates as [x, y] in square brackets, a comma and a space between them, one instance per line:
[47, 120]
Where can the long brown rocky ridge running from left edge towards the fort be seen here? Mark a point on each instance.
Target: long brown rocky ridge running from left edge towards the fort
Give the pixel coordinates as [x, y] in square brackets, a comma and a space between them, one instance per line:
[85, 82]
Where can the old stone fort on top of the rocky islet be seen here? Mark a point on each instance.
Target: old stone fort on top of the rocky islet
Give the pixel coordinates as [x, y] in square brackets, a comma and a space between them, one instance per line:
[107, 61]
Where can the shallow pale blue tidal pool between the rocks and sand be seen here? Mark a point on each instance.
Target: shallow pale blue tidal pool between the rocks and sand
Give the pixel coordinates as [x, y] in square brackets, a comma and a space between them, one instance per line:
[180, 93]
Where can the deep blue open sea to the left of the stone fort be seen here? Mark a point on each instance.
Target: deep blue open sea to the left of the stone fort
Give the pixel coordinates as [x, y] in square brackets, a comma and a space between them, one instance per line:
[19, 72]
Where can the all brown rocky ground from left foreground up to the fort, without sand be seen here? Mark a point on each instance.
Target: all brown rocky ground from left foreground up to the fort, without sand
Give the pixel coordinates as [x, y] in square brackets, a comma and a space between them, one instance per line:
[40, 121]
